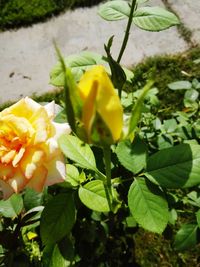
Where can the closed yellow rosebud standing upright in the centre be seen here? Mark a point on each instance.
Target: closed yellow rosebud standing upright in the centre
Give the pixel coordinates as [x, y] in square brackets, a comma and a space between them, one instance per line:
[102, 111]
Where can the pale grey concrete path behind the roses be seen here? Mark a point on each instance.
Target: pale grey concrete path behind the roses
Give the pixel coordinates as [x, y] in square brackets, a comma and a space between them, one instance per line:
[27, 55]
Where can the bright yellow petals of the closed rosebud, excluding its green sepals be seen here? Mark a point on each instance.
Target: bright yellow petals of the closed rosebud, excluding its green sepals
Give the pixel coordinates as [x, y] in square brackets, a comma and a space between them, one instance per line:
[107, 102]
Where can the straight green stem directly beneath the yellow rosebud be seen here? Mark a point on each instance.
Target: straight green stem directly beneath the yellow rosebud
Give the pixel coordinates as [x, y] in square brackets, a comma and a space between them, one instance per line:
[107, 184]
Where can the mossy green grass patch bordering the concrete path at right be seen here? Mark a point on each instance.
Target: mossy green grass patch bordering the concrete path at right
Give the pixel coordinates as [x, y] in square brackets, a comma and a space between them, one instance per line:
[167, 69]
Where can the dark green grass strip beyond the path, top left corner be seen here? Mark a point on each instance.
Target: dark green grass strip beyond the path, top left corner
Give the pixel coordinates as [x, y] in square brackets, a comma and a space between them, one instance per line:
[16, 13]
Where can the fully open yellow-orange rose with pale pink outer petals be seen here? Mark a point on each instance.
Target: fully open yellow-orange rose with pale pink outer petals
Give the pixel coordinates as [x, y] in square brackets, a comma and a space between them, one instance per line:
[29, 153]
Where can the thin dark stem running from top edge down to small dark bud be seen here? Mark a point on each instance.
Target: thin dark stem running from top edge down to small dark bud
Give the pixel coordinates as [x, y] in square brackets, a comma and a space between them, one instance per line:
[126, 36]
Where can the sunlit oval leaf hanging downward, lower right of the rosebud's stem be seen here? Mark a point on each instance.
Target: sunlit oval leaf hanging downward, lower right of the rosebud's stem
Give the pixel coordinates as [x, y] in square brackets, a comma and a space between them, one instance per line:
[148, 206]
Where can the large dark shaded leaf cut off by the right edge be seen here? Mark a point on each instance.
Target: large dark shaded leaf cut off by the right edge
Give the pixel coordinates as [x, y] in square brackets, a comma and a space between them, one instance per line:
[175, 167]
